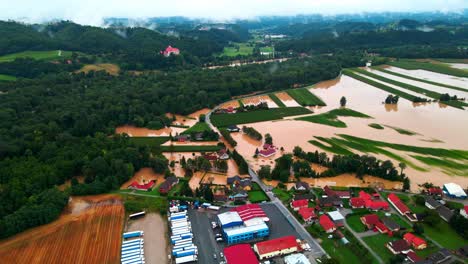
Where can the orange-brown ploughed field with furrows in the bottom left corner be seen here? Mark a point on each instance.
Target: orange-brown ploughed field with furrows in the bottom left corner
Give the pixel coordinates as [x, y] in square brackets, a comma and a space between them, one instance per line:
[89, 231]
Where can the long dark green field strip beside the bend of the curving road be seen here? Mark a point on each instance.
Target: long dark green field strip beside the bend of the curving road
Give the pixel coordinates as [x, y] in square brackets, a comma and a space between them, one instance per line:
[223, 120]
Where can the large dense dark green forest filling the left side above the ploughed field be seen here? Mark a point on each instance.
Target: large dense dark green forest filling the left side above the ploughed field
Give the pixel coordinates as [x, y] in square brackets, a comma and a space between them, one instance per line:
[57, 127]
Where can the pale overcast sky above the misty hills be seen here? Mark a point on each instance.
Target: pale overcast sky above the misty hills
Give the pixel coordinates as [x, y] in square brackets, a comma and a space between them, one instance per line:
[91, 12]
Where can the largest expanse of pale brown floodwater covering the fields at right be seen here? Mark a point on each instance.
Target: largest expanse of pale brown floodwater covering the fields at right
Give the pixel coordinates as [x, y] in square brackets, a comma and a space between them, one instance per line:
[430, 121]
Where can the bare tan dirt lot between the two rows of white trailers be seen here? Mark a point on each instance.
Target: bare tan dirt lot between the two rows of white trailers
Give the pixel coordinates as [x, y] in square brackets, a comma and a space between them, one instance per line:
[156, 245]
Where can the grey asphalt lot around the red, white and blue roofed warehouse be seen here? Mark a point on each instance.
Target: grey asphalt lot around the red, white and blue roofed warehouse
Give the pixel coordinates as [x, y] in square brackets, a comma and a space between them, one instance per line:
[204, 235]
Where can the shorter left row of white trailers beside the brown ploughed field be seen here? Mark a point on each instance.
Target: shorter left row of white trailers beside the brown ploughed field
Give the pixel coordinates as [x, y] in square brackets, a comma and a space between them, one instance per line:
[132, 248]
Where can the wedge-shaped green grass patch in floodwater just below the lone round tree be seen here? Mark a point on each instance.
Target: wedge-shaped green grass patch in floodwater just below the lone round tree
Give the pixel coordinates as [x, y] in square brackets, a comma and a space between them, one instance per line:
[331, 118]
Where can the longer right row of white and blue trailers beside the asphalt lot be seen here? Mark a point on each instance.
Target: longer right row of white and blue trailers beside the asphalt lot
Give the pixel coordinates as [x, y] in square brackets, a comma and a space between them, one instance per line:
[183, 249]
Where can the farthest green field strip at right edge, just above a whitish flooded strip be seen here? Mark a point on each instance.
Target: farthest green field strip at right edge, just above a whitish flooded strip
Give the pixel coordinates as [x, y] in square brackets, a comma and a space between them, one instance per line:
[428, 66]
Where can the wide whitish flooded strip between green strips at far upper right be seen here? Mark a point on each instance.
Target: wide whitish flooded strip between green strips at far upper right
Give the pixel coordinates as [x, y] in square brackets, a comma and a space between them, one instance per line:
[433, 76]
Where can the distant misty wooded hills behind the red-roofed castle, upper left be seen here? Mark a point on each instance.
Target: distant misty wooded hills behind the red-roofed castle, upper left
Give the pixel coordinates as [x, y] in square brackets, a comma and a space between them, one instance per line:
[119, 44]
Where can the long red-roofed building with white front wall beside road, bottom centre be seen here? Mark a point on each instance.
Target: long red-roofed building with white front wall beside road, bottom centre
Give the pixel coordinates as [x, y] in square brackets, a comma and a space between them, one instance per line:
[277, 247]
